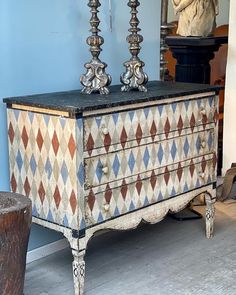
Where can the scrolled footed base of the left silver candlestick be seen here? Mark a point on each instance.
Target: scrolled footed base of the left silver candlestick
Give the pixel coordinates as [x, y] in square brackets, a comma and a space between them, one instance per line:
[96, 79]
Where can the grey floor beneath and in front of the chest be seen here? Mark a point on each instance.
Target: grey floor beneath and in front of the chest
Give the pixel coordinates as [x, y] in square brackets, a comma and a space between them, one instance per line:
[170, 257]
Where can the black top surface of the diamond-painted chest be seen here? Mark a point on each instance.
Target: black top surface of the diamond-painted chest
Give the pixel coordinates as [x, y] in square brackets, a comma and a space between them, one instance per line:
[75, 102]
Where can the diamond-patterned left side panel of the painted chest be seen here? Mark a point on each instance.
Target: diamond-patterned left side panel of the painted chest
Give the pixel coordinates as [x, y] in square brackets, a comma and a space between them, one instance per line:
[43, 164]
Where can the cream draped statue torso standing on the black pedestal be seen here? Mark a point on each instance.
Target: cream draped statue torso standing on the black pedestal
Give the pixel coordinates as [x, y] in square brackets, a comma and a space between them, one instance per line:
[196, 17]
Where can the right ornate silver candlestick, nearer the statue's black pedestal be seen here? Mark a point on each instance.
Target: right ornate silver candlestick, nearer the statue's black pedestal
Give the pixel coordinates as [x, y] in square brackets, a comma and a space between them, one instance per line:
[134, 77]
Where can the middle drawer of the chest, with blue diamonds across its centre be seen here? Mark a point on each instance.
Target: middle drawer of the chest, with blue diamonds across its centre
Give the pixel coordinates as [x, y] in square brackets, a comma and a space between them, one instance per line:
[114, 166]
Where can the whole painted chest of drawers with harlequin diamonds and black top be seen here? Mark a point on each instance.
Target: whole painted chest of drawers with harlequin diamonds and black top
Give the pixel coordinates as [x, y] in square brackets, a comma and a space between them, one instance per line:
[108, 162]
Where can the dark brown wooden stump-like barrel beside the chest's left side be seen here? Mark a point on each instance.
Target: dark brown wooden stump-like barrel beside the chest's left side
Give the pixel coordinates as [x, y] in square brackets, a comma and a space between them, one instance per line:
[15, 221]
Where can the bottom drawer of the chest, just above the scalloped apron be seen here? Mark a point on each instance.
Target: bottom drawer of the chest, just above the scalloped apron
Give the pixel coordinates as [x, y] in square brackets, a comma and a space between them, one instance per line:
[143, 192]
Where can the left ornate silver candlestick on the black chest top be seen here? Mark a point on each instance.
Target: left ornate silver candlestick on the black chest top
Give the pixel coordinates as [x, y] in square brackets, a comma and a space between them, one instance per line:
[96, 79]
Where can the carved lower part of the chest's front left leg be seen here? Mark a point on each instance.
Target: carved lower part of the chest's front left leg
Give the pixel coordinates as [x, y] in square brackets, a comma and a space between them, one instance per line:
[78, 271]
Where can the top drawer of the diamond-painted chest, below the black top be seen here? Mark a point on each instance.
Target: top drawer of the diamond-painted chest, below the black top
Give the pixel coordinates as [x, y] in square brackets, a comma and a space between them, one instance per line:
[136, 125]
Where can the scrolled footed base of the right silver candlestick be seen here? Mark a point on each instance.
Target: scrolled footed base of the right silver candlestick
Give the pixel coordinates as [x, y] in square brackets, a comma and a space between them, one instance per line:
[134, 77]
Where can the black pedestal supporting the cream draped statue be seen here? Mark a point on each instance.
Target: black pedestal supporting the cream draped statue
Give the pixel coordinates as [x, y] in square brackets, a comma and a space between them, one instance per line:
[193, 55]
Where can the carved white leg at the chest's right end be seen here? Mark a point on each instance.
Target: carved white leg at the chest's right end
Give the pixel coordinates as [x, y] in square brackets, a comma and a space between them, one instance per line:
[210, 215]
